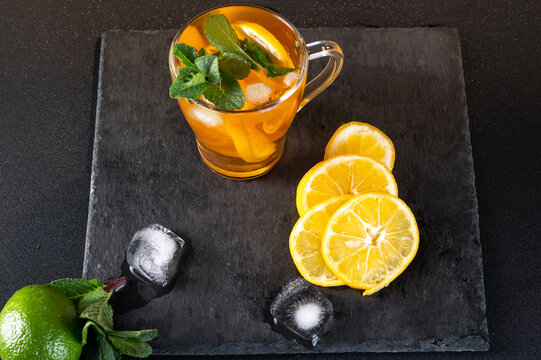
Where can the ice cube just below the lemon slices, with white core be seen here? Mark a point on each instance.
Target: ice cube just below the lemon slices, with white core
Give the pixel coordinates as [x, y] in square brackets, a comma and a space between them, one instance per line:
[302, 310]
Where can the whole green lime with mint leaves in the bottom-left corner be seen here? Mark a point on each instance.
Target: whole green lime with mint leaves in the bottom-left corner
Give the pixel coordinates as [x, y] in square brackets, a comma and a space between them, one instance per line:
[64, 319]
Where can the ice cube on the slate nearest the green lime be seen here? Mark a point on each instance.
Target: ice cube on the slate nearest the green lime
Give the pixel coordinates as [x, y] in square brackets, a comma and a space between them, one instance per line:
[154, 255]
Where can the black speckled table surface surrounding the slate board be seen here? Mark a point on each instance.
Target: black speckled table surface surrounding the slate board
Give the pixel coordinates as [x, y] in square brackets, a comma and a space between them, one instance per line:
[48, 82]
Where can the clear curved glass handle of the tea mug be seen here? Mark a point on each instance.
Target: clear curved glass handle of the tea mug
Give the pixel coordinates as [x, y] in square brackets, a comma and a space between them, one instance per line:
[330, 72]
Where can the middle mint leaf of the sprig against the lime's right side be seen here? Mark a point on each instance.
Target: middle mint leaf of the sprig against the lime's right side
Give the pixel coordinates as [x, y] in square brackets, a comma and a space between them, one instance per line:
[94, 306]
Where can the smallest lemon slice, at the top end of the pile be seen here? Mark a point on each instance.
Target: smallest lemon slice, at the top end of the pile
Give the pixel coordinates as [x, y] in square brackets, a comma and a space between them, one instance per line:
[361, 139]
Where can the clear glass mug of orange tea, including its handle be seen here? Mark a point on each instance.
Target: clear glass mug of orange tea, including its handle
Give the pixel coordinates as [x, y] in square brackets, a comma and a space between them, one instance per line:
[245, 144]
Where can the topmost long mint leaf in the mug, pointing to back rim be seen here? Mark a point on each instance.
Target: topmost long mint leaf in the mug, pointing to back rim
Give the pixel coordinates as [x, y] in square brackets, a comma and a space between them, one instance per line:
[221, 35]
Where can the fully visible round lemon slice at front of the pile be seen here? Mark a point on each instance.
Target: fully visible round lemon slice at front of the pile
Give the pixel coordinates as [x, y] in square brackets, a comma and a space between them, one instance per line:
[370, 240]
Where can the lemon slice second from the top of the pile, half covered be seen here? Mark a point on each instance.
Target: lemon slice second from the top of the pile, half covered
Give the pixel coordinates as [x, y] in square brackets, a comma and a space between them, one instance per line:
[343, 175]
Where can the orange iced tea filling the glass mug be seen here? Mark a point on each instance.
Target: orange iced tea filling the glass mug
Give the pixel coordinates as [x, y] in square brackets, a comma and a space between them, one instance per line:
[248, 142]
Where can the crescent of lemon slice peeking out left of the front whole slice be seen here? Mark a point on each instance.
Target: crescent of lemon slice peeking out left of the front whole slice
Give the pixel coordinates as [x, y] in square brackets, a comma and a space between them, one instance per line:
[305, 242]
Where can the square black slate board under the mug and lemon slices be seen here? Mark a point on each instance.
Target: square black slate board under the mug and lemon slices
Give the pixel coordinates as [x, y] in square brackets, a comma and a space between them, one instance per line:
[146, 169]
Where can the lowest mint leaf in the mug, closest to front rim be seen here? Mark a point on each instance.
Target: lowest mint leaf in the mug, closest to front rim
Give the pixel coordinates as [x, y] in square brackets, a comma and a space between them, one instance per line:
[228, 95]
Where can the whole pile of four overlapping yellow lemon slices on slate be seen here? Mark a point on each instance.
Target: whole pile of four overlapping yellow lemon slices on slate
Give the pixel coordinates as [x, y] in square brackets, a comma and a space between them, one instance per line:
[353, 228]
